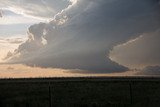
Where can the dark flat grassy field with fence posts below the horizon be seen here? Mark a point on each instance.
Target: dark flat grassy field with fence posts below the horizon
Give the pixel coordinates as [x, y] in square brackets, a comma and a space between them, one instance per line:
[81, 92]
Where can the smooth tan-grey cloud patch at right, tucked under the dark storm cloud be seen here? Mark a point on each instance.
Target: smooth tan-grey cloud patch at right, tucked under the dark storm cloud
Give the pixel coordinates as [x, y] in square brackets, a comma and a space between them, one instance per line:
[140, 52]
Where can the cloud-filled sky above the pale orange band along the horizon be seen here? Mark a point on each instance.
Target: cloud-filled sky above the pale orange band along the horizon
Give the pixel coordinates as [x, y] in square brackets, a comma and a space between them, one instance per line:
[96, 36]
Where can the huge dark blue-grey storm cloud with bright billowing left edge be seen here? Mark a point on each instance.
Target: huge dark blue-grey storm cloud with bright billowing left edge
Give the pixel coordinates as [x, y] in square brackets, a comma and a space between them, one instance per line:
[82, 35]
